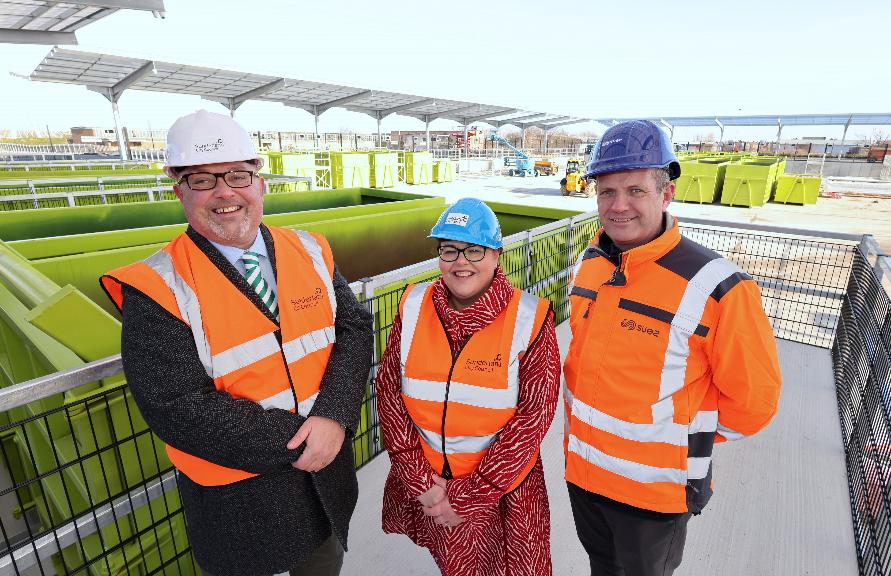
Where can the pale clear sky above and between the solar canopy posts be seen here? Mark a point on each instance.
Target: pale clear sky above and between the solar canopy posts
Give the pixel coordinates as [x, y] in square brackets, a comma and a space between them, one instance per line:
[585, 58]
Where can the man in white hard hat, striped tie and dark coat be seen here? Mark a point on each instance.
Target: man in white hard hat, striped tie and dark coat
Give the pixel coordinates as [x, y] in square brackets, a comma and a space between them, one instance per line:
[248, 354]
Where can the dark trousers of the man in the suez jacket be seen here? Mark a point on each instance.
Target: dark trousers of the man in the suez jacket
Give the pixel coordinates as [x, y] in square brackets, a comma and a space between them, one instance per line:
[623, 540]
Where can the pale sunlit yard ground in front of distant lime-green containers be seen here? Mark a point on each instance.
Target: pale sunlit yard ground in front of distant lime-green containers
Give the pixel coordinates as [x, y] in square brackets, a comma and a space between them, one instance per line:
[862, 206]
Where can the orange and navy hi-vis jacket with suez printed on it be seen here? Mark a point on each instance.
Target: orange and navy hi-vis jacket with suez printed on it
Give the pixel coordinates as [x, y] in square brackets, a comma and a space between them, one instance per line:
[671, 351]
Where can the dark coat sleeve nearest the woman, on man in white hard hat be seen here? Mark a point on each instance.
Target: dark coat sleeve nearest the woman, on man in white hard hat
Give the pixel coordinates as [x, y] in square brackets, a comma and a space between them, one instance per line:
[346, 376]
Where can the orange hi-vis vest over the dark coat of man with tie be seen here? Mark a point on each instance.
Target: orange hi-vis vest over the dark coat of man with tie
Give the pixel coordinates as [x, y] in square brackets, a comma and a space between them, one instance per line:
[247, 355]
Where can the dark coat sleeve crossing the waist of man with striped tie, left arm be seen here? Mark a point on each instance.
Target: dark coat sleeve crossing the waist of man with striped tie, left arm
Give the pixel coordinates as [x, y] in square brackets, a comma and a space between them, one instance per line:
[180, 403]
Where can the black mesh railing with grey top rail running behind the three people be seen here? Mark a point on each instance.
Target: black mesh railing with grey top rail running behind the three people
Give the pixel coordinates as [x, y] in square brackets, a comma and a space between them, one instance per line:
[88, 488]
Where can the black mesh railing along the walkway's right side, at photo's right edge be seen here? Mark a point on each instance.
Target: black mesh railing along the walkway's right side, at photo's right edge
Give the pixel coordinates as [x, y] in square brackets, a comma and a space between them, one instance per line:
[861, 355]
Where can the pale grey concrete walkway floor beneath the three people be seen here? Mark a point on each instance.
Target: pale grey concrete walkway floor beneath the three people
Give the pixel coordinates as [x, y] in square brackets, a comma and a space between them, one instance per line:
[780, 506]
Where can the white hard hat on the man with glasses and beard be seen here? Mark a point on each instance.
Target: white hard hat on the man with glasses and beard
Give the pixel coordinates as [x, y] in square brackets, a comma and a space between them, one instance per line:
[204, 137]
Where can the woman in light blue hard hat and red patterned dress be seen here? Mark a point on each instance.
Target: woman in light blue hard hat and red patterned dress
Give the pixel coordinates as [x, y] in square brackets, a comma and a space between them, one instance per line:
[467, 388]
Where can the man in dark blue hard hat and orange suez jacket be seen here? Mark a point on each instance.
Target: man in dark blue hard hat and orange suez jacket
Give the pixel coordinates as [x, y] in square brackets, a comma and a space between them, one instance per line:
[671, 353]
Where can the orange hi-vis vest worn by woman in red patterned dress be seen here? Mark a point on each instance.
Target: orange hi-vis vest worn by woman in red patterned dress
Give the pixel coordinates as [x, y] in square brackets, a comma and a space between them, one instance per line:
[460, 403]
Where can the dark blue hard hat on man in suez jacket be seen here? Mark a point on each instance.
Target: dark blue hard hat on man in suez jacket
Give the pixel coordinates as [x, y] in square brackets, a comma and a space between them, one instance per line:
[632, 145]
